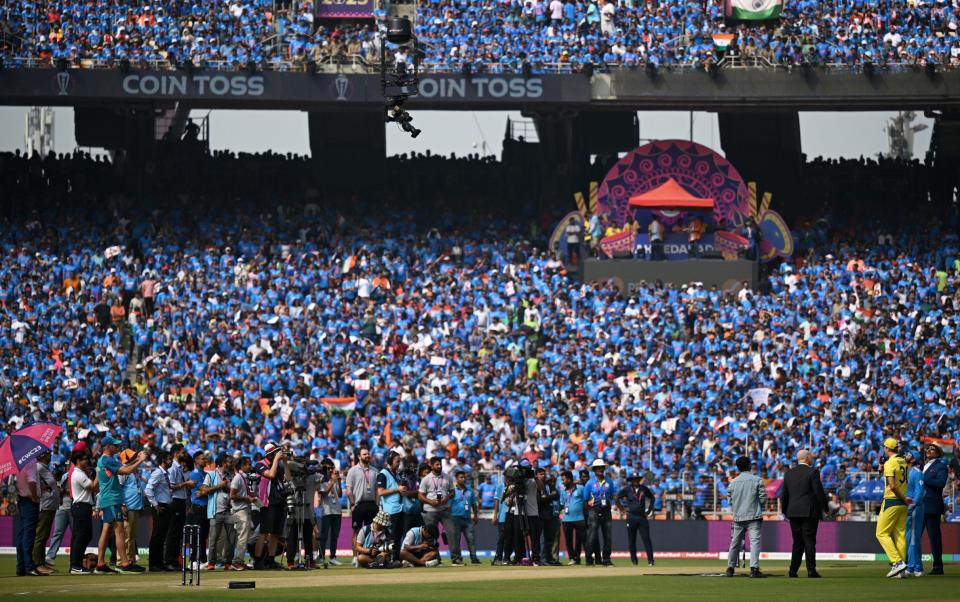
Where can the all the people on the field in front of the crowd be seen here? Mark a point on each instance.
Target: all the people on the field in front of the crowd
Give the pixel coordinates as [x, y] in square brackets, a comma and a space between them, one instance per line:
[243, 506]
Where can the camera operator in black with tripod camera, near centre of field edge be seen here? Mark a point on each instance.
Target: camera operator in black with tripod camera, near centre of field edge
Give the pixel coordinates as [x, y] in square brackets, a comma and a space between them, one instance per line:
[523, 519]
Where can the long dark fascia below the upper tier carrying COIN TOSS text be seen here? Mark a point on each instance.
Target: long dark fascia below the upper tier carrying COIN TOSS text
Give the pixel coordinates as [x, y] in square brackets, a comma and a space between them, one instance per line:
[746, 89]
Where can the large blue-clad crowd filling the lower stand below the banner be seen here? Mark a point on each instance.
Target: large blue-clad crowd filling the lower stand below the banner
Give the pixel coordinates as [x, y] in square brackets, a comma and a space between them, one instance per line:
[224, 322]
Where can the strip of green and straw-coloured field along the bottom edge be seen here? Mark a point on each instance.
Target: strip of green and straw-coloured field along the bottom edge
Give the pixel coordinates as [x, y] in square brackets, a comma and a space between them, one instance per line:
[670, 580]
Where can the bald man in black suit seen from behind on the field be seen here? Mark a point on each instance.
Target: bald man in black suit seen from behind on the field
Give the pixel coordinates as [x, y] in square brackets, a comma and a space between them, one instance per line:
[804, 504]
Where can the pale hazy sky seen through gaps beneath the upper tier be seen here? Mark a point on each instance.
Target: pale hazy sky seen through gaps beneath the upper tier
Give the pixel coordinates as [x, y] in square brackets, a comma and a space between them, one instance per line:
[823, 134]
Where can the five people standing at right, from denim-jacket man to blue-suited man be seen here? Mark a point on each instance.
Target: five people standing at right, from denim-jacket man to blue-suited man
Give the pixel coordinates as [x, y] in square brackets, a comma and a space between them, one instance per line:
[912, 503]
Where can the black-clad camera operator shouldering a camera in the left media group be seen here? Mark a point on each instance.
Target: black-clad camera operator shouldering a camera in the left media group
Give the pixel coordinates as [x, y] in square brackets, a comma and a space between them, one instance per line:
[274, 513]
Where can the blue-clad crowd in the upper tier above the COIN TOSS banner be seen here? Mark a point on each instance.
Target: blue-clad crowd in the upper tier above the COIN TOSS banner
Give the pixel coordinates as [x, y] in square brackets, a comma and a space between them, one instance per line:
[501, 36]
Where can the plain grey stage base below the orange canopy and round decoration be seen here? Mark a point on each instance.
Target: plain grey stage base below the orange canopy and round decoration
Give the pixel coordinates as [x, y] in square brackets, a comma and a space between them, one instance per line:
[628, 273]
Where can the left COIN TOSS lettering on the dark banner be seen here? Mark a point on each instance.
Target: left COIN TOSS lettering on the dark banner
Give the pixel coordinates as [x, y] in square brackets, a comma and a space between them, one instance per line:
[230, 85]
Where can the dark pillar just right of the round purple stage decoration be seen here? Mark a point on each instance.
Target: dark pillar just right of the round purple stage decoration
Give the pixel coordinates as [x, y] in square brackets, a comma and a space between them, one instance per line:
[765, 148]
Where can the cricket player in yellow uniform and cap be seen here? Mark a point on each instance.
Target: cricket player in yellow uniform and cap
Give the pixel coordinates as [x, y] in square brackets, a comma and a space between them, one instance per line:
[892, 524]
